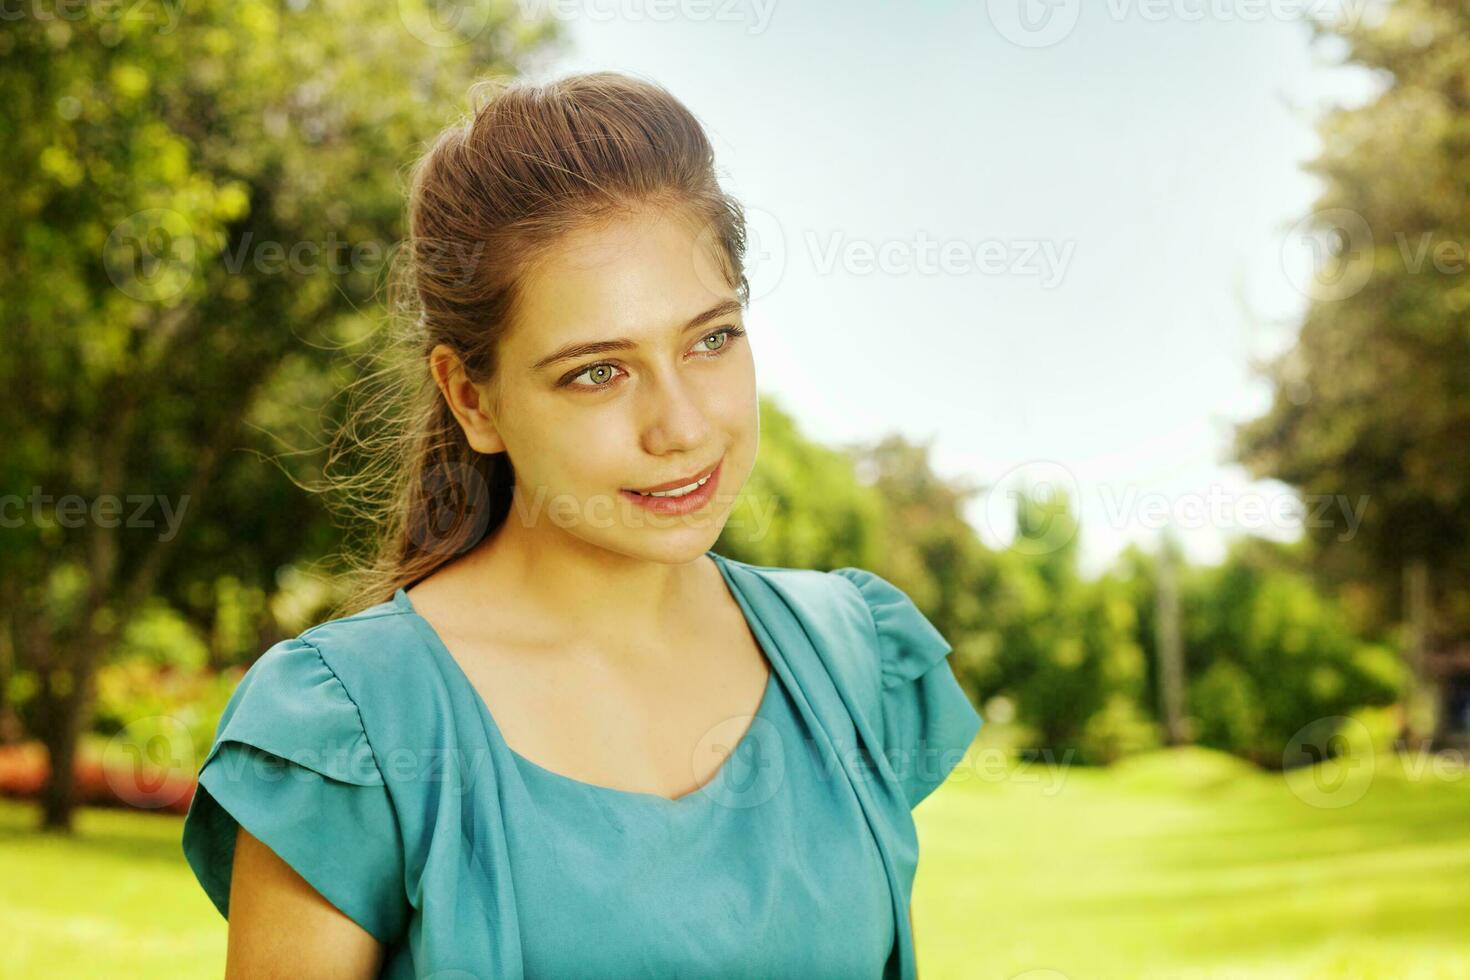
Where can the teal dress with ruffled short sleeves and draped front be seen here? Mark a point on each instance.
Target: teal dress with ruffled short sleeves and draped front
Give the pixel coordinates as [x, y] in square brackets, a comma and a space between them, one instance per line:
[364, 757]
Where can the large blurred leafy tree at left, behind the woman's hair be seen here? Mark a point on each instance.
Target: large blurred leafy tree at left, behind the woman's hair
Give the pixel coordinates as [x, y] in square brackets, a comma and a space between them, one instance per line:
[198, 217]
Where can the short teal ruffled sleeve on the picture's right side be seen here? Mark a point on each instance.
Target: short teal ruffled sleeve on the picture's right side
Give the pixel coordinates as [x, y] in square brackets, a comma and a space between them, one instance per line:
[928, 721]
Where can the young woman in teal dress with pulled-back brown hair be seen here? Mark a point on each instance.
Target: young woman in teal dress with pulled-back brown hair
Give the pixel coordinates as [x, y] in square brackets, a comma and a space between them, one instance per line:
[573, 740]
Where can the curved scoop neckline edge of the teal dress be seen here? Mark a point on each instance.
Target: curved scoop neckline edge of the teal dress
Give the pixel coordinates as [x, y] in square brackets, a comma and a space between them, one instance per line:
[706, 790]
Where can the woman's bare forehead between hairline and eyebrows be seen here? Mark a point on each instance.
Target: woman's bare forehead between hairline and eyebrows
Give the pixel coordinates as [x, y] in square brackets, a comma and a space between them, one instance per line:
[633, 277]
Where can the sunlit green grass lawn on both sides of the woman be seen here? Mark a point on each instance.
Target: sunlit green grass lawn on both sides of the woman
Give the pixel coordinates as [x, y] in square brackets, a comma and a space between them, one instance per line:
[1177, 865]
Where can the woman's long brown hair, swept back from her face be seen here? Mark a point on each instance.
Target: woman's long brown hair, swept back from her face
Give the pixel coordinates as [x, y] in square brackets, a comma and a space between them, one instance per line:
[492, 196]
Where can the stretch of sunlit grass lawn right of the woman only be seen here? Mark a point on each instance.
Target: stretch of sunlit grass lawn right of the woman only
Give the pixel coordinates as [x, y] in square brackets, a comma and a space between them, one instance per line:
[1191, 865]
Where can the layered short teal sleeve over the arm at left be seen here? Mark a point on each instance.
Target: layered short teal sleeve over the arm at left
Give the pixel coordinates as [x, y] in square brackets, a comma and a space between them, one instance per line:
[292, 765]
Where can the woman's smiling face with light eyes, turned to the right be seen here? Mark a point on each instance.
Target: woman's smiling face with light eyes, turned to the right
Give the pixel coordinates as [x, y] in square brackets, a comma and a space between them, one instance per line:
[670, 396]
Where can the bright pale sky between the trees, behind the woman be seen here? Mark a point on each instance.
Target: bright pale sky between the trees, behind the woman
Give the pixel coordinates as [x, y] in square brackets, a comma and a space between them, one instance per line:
[1053, 256]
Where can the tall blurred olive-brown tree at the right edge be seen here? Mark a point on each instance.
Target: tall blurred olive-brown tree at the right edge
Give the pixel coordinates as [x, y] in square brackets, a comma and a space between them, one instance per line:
[1374, 402]
